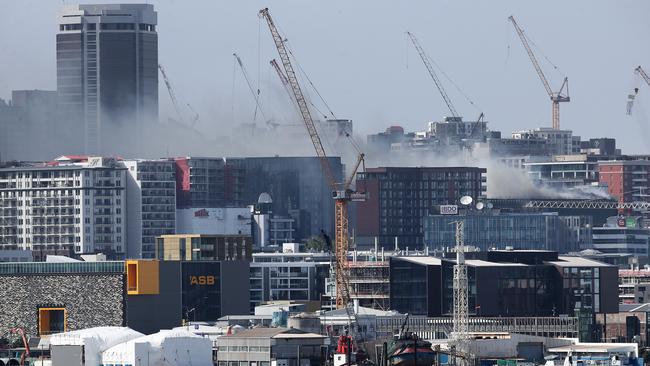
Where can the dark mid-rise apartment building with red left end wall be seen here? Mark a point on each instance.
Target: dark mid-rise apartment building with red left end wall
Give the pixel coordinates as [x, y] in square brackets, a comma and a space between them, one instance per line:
[209, 183]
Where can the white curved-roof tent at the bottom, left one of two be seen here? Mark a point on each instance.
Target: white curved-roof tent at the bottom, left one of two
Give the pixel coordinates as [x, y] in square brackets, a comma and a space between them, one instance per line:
[95, 340]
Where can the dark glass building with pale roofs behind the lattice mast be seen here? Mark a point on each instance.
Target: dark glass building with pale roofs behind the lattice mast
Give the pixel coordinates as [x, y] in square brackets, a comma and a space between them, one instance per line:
[506, 283]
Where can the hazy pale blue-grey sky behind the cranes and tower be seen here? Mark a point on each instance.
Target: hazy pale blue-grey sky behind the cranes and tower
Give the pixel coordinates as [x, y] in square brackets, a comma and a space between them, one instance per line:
[358, 56]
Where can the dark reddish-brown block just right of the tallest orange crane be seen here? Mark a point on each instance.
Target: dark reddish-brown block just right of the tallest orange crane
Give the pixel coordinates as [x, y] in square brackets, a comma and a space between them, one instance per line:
[400, 197]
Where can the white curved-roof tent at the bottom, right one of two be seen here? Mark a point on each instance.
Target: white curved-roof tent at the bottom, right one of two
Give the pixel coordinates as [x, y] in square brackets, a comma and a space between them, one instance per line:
[167, 347]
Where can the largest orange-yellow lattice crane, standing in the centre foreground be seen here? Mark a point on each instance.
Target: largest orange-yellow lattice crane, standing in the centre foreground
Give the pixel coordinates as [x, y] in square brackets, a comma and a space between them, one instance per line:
[342, 192]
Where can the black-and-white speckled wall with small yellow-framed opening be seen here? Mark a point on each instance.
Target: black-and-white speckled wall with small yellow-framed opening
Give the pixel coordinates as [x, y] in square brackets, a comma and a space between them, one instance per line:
[90, 300]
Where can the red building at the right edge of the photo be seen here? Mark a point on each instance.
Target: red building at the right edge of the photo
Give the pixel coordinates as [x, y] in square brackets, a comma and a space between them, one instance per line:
[626, 180]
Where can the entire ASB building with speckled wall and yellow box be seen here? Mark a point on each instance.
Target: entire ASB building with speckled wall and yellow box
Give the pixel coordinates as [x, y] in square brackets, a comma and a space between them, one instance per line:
[46, 298]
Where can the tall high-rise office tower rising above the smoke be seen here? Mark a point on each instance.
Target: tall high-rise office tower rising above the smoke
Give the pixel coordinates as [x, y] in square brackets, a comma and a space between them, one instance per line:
[107, 71]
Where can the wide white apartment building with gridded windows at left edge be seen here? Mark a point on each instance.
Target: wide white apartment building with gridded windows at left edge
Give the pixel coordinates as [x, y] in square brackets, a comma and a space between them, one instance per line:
[64, 207]
